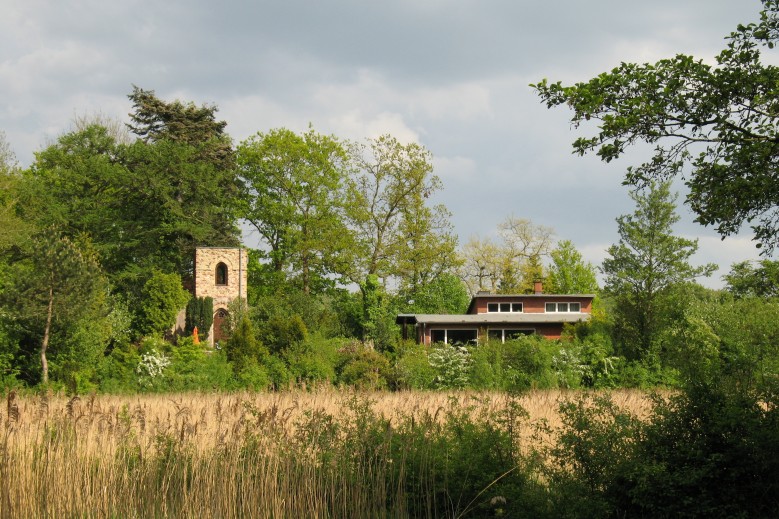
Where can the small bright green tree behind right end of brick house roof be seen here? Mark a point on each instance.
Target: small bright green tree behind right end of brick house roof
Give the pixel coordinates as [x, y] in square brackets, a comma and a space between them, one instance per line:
[569, 273]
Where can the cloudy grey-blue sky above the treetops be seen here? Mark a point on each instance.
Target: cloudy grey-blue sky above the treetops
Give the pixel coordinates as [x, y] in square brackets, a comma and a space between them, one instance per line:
[451, 75]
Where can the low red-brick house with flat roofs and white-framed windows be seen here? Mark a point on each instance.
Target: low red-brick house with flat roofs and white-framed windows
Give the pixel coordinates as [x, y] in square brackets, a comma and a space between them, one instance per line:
[501, 317]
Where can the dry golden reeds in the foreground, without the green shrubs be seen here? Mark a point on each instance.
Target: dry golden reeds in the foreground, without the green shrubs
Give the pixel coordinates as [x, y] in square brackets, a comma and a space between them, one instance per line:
[225, 455]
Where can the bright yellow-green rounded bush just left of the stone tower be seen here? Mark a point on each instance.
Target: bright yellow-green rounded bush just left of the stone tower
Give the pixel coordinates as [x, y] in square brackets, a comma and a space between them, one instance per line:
[162, 298]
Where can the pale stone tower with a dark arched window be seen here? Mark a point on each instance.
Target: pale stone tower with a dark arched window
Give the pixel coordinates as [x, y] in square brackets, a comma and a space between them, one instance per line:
[220, 273]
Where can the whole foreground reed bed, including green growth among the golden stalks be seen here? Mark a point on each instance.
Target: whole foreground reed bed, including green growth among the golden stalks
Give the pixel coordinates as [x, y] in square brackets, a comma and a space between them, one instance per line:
[321, 453]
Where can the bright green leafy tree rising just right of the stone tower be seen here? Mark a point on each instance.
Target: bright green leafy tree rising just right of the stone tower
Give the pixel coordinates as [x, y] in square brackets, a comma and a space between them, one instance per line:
[294, 199]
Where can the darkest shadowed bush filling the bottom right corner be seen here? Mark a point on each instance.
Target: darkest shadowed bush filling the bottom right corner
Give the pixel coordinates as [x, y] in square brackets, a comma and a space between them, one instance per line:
[709, 451]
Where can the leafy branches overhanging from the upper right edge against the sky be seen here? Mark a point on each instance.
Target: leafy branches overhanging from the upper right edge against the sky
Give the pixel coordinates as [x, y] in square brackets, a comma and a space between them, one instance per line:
[719, 120]
